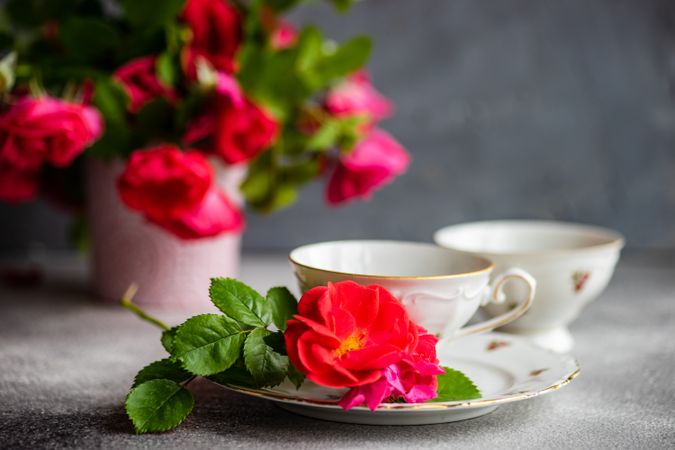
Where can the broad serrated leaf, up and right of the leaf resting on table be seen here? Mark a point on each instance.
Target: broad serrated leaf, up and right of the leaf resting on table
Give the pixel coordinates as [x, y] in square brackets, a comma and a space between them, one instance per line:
[208, 344]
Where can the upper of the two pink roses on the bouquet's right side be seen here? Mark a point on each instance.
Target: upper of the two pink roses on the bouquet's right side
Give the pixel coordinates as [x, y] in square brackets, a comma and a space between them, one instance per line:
[357, 96]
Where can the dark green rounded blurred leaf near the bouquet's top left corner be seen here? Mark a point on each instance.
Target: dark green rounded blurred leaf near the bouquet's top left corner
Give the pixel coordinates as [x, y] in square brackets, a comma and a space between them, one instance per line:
[89, 39]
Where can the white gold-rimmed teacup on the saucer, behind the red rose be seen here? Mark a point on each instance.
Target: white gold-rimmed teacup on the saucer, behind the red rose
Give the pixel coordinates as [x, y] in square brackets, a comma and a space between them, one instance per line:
[440, 288]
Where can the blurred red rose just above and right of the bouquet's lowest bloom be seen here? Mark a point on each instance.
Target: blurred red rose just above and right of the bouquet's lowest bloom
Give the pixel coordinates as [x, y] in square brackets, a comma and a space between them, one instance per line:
[233, 127]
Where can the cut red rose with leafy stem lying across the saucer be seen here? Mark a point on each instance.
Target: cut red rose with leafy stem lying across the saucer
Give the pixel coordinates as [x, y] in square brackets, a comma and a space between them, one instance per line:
[356, 339]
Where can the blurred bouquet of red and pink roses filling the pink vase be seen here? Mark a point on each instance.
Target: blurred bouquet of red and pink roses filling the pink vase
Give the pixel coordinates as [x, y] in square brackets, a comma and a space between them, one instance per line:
[178, 87]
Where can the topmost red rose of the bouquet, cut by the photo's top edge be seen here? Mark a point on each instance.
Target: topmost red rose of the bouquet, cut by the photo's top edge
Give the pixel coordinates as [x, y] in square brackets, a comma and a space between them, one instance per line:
[216, 33]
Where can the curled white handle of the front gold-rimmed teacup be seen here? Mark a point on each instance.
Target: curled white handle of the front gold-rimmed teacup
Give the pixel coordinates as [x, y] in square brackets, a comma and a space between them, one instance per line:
[495, 294]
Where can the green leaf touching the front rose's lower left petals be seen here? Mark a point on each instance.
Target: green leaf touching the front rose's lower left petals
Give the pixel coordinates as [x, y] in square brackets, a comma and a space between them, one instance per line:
[267, 367]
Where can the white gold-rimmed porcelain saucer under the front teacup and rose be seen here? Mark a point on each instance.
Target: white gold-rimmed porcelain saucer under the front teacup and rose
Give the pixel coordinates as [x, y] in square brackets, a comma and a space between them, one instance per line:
[506, 368]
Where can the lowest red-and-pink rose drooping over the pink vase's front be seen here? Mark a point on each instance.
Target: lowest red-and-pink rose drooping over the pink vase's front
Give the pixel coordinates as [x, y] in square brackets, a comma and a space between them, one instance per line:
[175, 191]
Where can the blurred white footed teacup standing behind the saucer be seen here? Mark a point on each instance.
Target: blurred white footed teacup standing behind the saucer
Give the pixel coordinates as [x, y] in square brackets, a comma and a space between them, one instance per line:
[572, 264]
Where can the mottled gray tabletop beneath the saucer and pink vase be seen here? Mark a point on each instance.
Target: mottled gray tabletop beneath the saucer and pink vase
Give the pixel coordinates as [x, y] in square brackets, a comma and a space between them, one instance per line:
[66, 362]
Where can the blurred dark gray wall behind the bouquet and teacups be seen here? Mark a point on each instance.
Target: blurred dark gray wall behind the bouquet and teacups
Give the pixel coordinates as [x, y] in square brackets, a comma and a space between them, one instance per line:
[544, 109]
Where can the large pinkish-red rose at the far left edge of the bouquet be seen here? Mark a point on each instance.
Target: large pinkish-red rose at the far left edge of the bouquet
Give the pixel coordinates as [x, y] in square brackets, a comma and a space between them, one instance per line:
[38, 130]
